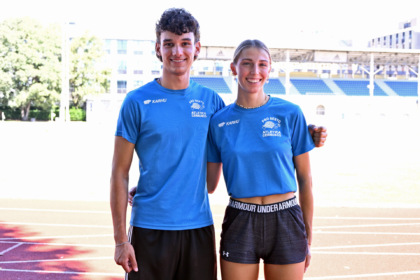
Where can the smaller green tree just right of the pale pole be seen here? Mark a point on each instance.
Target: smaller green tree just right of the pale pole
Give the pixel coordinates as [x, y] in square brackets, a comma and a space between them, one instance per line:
[87, 75]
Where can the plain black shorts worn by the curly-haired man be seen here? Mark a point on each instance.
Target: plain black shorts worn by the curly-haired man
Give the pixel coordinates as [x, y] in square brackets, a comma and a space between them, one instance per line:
[174, 254]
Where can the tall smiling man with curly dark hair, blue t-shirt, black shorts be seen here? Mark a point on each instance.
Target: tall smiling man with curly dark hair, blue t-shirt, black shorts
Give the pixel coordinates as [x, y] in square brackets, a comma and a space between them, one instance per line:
[166, 121]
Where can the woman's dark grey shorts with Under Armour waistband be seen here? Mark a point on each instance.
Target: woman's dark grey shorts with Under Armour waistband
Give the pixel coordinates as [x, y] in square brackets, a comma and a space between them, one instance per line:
[274, 232]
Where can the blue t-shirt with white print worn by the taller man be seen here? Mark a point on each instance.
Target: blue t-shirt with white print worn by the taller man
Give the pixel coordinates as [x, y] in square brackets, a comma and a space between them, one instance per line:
[169, 129]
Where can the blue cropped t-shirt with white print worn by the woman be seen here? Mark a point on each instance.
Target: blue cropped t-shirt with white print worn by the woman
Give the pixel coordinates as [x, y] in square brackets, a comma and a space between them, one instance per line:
[257, 146]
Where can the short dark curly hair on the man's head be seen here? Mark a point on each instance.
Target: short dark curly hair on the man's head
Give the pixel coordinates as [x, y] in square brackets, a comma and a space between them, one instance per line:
[177, 21]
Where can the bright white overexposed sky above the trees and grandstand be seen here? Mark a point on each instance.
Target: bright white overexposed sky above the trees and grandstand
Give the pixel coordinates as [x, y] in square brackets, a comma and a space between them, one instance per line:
[278, 23]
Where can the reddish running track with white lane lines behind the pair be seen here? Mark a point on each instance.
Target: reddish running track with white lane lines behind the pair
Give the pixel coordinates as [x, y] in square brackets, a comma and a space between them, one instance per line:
[46, 239]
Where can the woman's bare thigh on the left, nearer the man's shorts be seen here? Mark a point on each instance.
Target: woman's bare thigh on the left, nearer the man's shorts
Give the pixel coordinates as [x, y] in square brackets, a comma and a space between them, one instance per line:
[235, 271]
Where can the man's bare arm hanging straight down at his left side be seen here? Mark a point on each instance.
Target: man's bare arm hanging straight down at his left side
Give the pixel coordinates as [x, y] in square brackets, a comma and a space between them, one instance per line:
[123, 155]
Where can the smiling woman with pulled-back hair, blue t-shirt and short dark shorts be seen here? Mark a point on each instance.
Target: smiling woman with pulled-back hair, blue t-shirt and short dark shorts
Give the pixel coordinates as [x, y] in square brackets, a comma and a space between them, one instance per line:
[262, 142]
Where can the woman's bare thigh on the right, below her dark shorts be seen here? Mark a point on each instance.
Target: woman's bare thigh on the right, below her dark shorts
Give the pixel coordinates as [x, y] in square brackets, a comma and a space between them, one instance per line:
[284, 272]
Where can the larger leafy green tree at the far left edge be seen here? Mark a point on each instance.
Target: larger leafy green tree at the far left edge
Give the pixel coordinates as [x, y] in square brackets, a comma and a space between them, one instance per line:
[29, 65]
